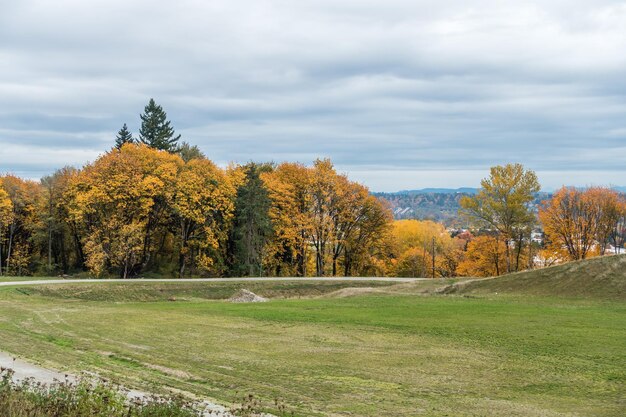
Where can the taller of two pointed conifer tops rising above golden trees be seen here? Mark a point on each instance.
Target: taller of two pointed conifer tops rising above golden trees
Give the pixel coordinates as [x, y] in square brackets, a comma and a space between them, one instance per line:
[156, 130]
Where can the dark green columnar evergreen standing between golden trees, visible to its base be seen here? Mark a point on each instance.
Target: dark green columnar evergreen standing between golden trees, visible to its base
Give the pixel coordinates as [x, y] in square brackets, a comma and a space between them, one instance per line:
[252, 225]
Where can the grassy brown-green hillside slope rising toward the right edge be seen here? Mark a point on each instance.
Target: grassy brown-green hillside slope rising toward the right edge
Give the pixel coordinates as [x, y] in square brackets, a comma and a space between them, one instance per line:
[599, 278]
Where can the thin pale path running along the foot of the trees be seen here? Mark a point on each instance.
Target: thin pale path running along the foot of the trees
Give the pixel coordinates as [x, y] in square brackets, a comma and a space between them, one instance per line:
[78, 281]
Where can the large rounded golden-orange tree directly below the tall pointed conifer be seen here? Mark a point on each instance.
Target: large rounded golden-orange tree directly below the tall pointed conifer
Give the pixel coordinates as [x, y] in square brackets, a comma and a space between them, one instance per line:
[122, 201]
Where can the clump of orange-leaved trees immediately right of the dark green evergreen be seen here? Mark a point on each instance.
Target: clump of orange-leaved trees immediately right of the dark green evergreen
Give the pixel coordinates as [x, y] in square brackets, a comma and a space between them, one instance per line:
[323, 220]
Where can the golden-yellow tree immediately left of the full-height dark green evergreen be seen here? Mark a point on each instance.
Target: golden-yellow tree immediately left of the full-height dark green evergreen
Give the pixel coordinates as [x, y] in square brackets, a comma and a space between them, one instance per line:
[203, 206]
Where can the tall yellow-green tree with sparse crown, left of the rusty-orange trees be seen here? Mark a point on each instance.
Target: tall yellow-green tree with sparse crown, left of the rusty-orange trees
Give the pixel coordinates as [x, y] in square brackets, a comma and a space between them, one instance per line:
[503, 205]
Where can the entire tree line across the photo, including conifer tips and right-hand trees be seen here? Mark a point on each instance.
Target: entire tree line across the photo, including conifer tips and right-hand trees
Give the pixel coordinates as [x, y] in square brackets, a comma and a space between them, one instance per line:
[155, 205]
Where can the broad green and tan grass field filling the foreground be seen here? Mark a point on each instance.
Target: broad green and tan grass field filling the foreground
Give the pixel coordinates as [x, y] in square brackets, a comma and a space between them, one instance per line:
[388, 351]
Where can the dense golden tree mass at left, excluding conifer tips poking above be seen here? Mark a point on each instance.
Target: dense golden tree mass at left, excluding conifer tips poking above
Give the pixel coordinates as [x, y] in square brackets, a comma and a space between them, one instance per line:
[137, 210]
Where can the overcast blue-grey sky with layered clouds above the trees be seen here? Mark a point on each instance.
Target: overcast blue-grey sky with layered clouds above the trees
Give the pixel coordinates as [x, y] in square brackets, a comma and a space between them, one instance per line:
[400, 94]
